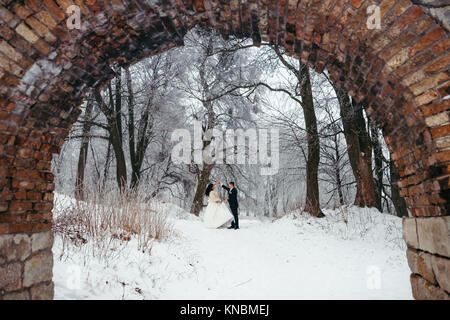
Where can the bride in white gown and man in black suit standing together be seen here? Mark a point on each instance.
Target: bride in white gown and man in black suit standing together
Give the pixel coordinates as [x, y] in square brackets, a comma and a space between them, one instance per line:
[217, 212]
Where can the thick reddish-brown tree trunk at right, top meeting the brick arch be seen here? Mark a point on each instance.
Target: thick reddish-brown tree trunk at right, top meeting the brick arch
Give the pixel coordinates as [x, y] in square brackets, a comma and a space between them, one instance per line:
[359, 149]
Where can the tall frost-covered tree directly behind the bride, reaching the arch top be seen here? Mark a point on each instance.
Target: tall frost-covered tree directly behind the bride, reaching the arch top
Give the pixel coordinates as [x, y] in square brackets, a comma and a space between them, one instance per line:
[214, 70]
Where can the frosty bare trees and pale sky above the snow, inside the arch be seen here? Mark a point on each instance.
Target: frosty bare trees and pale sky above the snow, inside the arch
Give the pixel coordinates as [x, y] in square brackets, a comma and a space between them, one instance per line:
[330, 153]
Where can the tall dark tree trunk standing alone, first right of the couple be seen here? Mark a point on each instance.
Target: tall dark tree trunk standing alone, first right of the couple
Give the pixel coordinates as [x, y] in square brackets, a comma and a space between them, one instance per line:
[312, 136]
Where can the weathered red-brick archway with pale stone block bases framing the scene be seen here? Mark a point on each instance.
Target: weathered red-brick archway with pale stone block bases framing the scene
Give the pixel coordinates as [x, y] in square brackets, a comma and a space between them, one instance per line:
[400, 70]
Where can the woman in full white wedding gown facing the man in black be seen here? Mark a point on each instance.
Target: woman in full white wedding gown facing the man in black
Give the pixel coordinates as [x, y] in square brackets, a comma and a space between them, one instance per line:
[217, 213]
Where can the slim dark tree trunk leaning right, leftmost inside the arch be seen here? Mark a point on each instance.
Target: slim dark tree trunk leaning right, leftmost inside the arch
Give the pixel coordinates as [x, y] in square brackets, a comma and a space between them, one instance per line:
[84, 148]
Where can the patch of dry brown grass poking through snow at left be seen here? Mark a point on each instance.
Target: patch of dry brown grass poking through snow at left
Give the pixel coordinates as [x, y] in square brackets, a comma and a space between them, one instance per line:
[103, 221]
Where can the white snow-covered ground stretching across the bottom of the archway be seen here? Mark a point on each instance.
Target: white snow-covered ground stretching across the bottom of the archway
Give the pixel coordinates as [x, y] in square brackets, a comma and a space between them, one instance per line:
[351, 254]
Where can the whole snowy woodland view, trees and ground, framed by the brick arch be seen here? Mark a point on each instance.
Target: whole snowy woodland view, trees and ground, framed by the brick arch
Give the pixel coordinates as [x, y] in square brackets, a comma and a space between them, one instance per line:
[130, 220]
